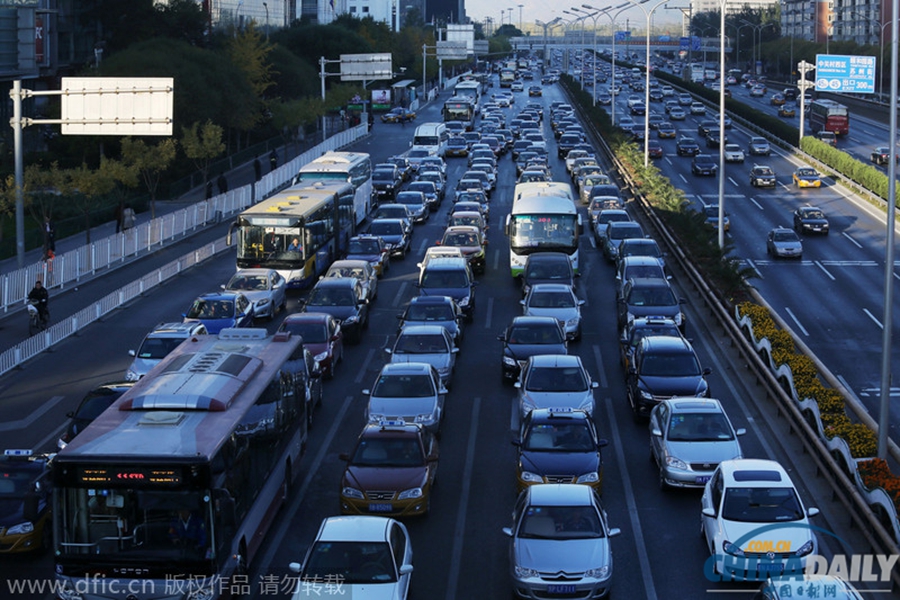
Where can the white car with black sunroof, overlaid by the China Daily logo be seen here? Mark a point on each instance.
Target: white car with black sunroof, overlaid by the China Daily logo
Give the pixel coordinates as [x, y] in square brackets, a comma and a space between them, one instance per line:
[753, 521]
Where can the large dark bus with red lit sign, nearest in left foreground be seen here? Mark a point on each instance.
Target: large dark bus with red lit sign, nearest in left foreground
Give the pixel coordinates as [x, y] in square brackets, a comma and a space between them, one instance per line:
[169, 493]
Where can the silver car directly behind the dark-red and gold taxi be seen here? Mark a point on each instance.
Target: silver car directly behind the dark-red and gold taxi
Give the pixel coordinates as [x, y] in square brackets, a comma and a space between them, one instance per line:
[410, 392]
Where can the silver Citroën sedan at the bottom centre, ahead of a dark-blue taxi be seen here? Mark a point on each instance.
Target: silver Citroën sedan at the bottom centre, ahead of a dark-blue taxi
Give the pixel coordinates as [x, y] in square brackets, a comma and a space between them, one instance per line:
[560, 543]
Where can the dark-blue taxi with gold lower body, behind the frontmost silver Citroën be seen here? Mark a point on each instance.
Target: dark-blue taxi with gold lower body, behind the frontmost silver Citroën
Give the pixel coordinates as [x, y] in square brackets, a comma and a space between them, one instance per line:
[559, 446]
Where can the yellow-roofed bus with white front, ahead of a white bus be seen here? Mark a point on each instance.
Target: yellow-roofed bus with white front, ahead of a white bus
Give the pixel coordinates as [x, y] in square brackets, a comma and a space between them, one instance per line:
[319, 217]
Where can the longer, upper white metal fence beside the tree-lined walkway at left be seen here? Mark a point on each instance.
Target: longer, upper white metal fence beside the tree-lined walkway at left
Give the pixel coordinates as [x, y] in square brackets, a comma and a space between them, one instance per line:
[76, 265]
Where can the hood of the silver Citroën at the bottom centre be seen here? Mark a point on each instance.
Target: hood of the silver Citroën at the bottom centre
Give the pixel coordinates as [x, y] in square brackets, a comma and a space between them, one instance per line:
[556, 556]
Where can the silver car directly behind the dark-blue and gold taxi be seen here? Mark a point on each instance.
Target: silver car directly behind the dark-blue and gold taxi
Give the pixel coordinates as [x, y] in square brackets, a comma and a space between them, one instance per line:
[555, 381]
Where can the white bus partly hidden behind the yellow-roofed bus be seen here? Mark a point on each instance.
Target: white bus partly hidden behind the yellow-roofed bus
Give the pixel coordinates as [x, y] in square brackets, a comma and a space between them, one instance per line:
[354, 168]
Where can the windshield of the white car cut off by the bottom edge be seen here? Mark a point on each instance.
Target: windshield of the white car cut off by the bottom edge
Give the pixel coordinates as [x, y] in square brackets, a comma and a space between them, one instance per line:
[350, 563]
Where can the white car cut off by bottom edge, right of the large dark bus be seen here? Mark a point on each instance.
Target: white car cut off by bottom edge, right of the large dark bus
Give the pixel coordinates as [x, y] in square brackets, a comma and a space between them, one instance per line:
[366, 556]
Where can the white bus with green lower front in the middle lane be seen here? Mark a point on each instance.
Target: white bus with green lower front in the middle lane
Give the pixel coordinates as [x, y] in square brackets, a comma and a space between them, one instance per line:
[543, 219]
